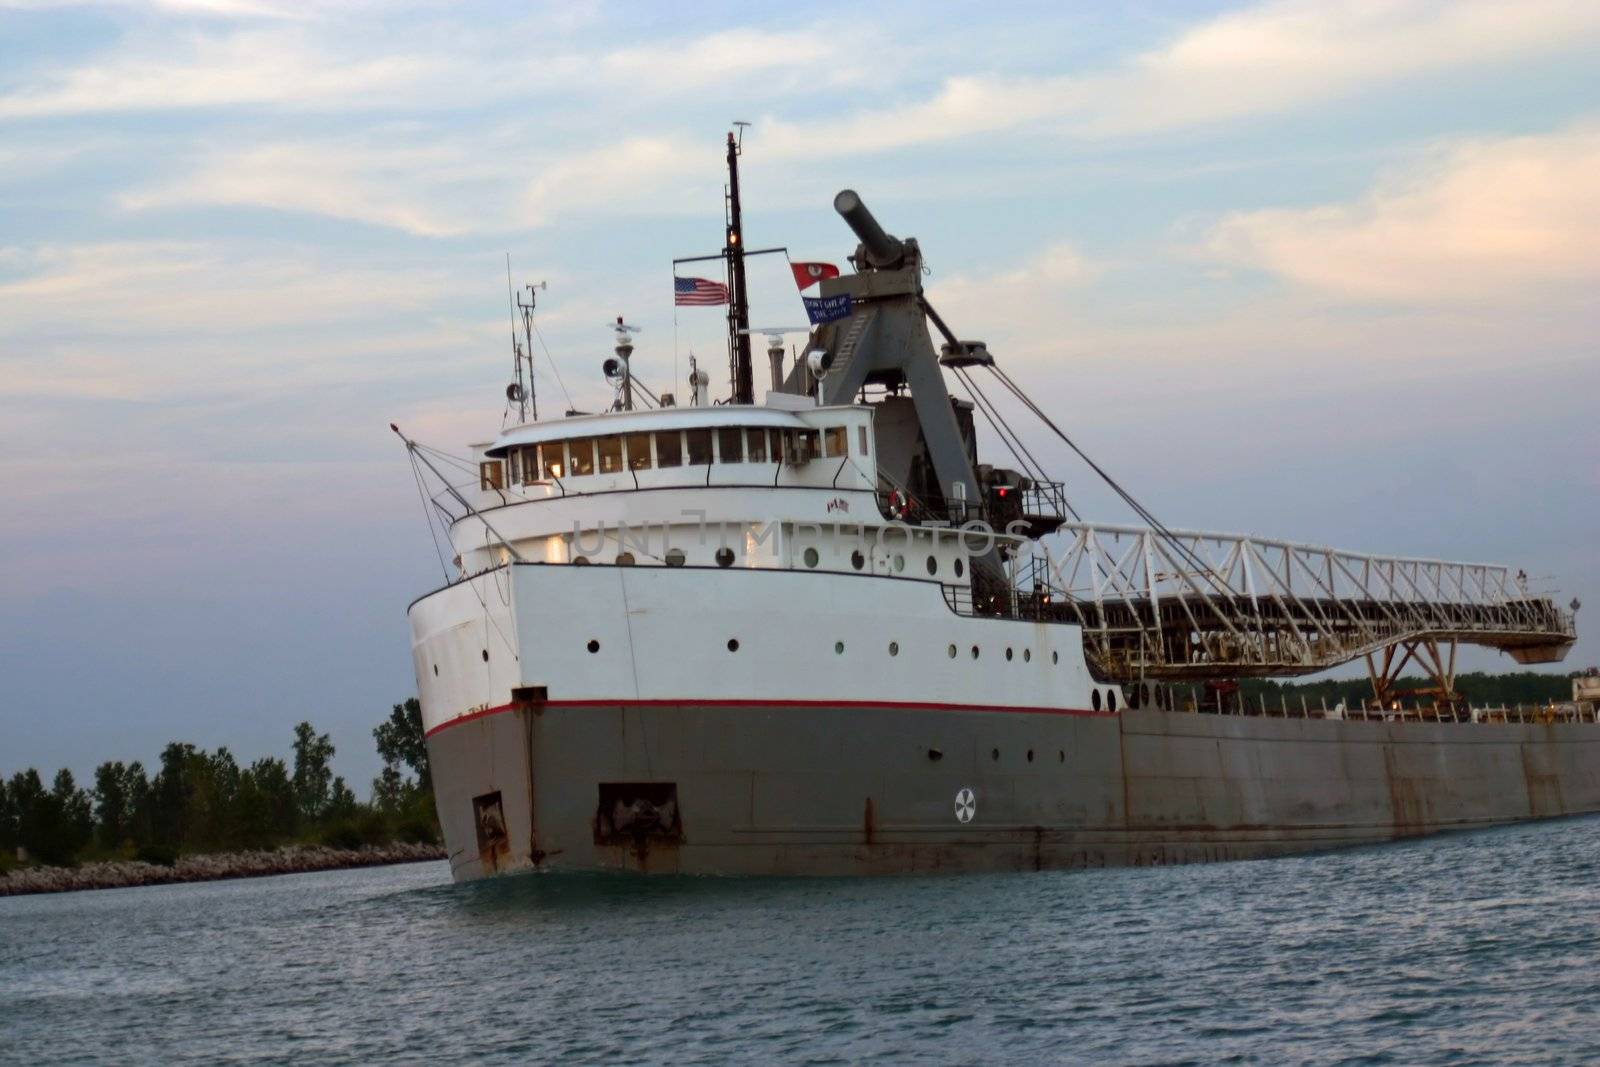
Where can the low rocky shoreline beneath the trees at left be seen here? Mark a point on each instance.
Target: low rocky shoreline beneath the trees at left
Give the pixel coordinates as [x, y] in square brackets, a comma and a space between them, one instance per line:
[212, 868]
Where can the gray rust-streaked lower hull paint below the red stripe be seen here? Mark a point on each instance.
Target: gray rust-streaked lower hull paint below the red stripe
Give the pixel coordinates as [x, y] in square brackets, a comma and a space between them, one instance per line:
[823, 791]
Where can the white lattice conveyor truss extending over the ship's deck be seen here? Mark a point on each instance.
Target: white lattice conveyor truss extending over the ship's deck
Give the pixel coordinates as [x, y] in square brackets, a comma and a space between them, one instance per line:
[1185, 605]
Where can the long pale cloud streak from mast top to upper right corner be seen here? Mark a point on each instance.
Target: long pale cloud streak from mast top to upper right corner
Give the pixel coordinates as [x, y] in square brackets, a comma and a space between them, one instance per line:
[1266, 60]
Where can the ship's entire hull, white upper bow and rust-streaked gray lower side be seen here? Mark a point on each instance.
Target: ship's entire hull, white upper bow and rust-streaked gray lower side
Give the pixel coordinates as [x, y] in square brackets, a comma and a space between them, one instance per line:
[892, 737]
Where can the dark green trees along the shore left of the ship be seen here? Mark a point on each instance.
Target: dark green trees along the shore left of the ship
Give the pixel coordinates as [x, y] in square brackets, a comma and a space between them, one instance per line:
[206, 802]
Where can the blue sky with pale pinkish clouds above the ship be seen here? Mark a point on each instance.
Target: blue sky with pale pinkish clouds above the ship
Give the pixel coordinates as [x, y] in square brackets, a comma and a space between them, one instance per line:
[1311, 271]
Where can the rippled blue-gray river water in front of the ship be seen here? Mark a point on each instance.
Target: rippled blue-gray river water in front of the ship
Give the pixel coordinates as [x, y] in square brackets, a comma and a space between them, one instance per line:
[1476, 948]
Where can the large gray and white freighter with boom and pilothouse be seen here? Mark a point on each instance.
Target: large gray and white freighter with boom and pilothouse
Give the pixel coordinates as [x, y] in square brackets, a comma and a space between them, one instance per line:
[820, 636]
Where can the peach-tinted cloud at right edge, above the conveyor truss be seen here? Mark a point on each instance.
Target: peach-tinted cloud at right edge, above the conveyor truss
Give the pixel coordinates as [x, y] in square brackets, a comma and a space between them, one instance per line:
[1481, 220]
